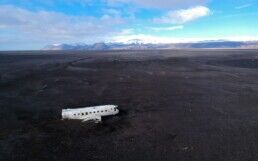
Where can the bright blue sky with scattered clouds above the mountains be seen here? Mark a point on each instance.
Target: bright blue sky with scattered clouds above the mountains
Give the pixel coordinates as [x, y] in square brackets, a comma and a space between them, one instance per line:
[26, 24]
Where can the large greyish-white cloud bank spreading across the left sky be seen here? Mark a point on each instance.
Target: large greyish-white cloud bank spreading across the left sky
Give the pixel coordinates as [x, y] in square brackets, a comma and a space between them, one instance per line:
[57, 26]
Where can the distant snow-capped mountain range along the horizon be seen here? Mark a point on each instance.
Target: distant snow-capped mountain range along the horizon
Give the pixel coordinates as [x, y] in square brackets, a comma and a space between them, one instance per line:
[138, 45]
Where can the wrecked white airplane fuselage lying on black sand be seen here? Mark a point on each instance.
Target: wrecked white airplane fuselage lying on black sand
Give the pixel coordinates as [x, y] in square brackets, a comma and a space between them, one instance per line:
[90, 113]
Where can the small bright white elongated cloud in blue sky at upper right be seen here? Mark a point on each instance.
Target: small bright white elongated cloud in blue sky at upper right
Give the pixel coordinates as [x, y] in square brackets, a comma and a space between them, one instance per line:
[184, 15]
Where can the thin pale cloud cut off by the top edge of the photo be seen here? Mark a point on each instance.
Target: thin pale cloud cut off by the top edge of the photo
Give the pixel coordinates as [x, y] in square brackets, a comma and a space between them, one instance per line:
[161, 3]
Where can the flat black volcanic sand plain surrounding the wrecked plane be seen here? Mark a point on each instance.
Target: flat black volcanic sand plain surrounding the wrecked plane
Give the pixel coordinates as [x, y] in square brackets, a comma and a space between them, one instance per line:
[175, 105]
